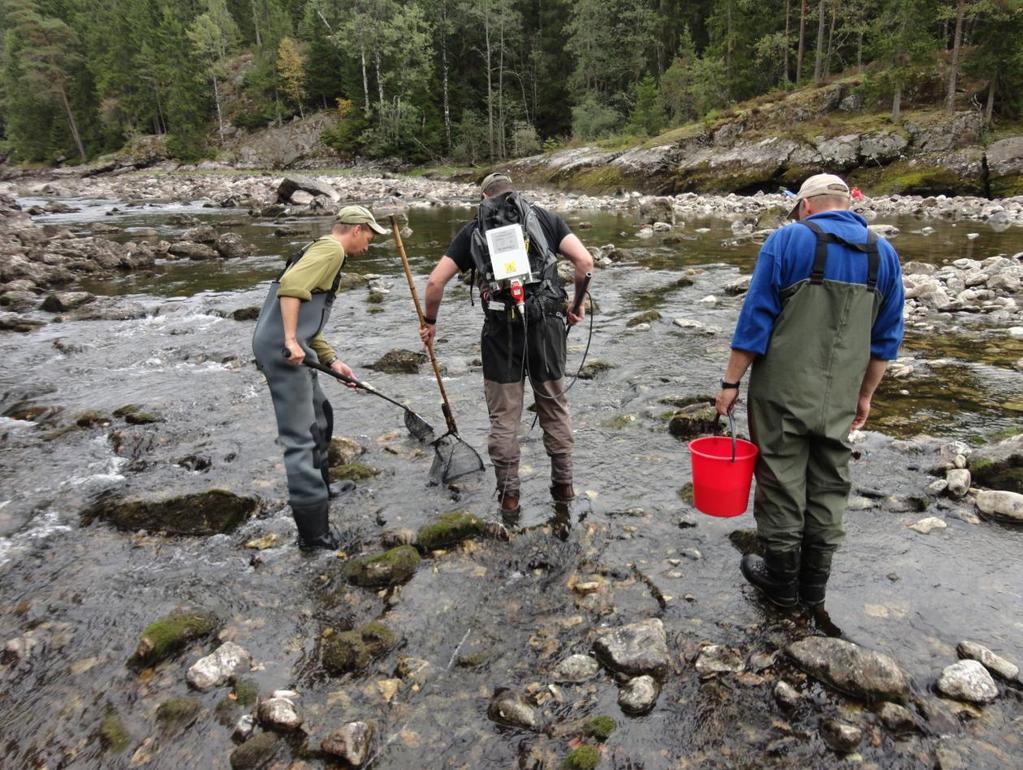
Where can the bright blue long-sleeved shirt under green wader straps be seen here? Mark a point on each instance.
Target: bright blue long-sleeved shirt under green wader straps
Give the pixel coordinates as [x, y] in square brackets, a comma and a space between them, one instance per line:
[787, 258]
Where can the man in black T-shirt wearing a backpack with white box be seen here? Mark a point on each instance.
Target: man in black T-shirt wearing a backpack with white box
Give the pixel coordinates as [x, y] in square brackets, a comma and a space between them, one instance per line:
[524, 329]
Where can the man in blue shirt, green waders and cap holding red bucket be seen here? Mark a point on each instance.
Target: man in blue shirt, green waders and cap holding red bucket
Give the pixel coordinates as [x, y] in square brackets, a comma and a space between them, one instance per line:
[821, 322]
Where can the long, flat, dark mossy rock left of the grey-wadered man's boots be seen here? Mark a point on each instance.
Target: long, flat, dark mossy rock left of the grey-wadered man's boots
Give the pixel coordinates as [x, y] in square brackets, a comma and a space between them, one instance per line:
[204, 514]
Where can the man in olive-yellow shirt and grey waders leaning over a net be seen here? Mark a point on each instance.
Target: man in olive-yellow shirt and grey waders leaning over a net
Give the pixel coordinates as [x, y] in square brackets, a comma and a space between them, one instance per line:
[290, 328]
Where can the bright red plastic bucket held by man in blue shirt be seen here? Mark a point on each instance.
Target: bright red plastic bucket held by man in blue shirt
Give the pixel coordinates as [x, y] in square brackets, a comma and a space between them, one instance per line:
[723, 472]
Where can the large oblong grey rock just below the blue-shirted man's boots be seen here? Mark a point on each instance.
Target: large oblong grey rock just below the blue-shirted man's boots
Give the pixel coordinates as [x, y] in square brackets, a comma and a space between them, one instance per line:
[850, 668]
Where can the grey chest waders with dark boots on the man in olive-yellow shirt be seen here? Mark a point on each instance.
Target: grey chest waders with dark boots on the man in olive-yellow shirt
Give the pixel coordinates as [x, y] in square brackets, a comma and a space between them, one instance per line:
[305, 418]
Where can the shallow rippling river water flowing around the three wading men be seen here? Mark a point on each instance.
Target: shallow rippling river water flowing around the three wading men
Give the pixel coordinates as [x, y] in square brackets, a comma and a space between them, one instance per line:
[494, 615]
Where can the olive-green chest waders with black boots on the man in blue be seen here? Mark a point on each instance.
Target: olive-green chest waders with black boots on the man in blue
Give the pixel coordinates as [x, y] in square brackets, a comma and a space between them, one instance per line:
[803, 400]
